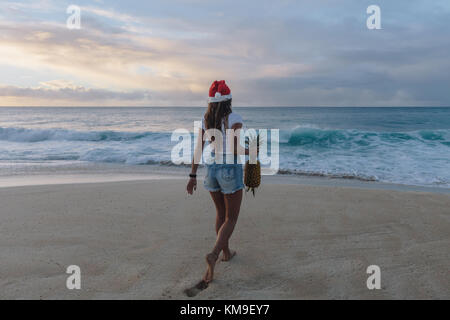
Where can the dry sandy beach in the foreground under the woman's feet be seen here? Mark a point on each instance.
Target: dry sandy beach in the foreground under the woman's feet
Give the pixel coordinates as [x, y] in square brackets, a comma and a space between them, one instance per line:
[147, 240]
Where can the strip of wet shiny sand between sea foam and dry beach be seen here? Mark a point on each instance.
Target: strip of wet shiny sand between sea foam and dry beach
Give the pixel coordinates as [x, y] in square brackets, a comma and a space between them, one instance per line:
[103, 173]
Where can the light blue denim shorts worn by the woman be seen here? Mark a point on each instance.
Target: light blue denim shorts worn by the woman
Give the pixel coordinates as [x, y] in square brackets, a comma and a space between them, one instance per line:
[227, 178]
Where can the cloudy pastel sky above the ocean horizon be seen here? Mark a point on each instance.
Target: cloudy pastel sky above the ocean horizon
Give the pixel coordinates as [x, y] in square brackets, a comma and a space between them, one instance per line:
[271, 53]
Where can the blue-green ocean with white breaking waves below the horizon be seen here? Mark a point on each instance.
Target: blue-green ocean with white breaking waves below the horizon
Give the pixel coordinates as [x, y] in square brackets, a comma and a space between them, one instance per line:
[409, 146]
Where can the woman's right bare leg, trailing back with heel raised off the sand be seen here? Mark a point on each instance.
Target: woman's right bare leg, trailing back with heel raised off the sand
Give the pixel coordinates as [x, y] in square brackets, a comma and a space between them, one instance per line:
[233, 206]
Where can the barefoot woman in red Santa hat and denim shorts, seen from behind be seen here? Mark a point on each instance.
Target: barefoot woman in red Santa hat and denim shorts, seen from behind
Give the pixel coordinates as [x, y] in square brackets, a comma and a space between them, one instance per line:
[223, 180]
